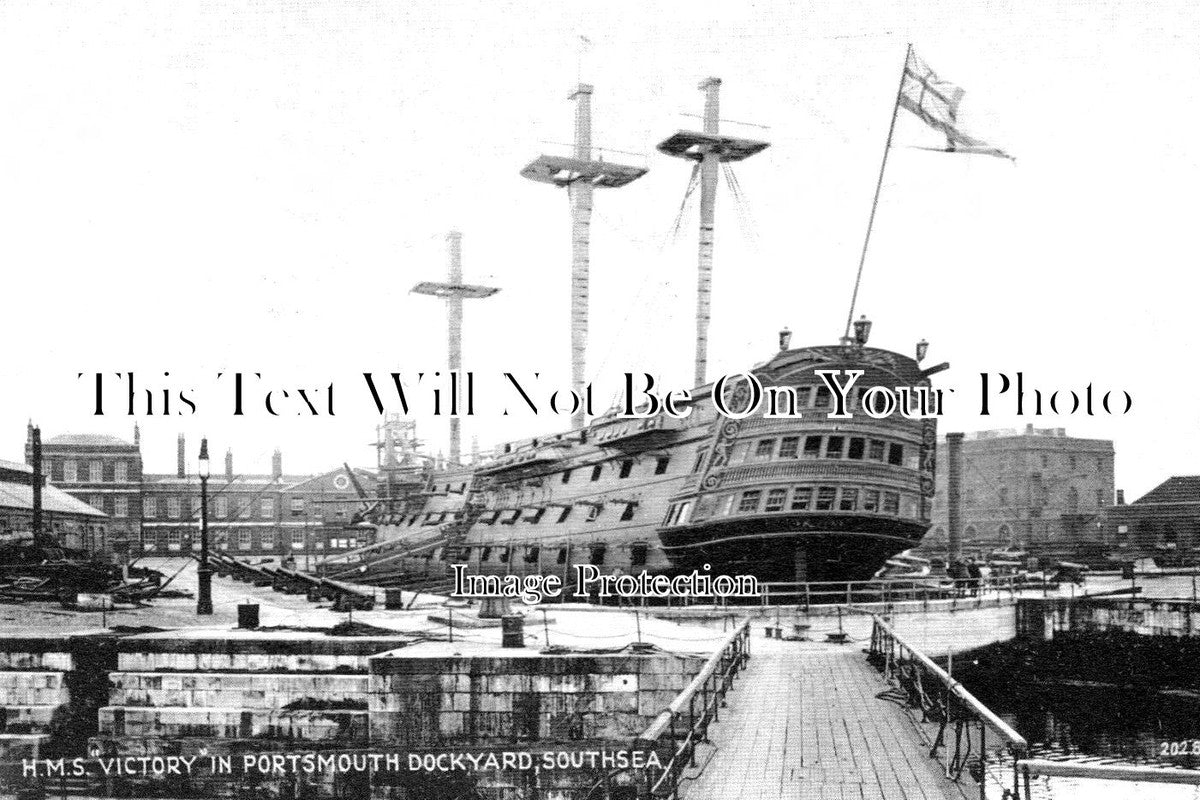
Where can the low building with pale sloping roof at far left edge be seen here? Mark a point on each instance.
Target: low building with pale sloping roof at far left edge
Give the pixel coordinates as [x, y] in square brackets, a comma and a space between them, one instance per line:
[73, 524]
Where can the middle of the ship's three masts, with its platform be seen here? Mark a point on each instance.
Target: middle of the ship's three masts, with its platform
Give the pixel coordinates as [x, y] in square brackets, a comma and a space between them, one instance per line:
[580, 175]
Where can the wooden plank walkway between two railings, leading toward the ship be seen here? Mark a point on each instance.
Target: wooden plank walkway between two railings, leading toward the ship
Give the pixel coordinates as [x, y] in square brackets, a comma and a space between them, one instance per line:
[806, 723]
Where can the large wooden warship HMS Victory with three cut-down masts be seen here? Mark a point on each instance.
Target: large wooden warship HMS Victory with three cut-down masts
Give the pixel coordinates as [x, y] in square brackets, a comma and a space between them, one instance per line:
[808, 496]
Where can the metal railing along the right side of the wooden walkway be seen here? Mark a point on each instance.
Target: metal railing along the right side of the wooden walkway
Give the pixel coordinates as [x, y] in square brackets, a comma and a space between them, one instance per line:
[945, 702]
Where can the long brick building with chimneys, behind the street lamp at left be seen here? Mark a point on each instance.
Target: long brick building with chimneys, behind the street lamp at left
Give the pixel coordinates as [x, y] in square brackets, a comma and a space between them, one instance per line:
[255, 515]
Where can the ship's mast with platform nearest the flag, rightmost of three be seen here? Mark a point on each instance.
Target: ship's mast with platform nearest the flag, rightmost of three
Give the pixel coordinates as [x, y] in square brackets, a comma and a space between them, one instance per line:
[710, 149]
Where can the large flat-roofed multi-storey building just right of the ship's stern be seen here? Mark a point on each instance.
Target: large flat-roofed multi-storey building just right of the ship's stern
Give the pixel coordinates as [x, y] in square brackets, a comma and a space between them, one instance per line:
[1035, 490]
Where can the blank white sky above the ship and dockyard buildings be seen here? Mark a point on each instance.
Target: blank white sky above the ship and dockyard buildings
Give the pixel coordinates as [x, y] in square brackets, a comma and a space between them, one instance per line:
[211, 188]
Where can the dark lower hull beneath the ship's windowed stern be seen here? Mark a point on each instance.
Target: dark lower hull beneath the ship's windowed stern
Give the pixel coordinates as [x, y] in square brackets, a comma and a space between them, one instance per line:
[808, 549]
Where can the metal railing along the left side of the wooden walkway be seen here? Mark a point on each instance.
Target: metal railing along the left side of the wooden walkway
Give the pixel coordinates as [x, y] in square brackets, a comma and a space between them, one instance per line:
[685, 724]
